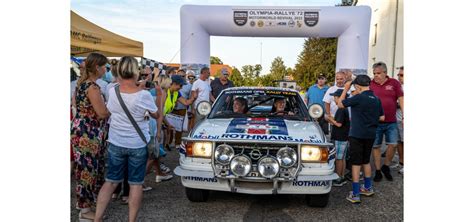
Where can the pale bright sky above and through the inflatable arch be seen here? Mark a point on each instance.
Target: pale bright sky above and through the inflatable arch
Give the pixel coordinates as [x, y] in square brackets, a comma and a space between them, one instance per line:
[156, 24]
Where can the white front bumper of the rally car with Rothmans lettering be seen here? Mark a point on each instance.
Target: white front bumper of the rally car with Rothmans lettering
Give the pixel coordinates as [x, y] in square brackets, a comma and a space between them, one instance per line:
[304, 184]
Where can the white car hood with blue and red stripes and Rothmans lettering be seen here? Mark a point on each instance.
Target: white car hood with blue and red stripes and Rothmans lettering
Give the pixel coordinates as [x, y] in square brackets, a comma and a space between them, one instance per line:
[264, 129]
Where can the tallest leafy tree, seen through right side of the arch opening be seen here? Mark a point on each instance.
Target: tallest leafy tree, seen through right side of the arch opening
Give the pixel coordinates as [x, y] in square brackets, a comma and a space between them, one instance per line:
[317, 58]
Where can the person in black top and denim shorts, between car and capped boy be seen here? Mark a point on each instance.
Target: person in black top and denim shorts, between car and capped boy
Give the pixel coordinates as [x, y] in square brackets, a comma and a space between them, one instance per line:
[340, 136]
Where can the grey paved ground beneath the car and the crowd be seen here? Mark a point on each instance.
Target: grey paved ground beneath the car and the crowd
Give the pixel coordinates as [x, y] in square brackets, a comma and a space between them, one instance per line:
[167, 202]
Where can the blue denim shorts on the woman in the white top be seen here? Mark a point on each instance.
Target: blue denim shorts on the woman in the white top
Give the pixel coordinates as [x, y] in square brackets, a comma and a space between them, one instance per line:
[134, 158]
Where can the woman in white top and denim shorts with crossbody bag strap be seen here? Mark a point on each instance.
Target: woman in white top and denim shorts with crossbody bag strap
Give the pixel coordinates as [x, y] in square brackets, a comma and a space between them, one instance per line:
[129, 135]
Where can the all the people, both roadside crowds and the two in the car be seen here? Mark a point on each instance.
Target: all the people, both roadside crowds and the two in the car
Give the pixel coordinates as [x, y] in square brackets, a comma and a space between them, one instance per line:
[124, 123]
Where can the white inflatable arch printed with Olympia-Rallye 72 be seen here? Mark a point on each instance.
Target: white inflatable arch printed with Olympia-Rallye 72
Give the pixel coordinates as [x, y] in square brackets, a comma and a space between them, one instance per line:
[351, 25]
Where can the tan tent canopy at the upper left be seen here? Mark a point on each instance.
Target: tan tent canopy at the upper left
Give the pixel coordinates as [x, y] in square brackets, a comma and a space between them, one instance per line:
[87, 37]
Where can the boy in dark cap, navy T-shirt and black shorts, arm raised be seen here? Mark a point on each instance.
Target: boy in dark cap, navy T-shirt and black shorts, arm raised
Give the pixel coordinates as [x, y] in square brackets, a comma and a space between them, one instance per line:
[366, 112]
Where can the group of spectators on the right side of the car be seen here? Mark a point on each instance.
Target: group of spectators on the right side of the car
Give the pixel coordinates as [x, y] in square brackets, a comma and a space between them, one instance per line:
[361, 114]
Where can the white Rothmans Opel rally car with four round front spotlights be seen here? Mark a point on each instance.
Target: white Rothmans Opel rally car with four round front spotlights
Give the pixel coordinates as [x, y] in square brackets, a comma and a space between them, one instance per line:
[259, 151]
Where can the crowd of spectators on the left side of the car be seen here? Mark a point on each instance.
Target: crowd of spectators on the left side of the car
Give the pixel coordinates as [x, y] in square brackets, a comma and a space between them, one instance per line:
[122, 126]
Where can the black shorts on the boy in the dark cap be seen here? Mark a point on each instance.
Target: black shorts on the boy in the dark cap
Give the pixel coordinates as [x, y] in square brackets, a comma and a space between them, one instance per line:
[360, 150]
